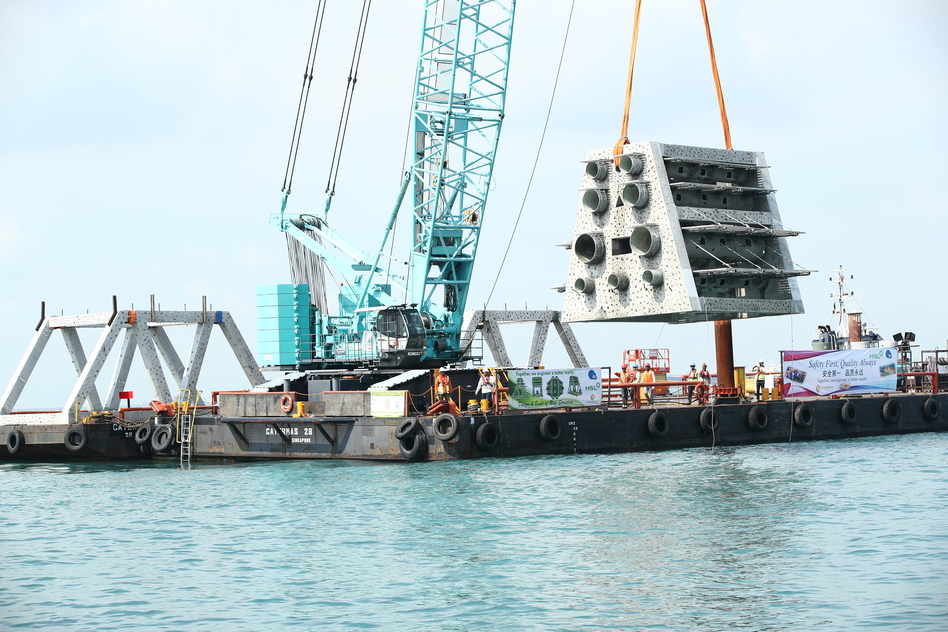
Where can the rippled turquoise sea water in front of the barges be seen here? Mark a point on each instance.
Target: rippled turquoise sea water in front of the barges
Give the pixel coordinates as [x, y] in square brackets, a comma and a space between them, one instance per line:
[835, 535]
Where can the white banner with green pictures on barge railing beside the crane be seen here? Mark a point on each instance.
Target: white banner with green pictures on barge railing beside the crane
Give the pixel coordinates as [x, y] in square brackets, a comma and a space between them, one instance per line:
[554, 388]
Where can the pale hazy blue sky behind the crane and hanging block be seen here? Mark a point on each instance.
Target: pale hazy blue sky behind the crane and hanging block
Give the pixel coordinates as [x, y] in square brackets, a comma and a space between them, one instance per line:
[142, 147]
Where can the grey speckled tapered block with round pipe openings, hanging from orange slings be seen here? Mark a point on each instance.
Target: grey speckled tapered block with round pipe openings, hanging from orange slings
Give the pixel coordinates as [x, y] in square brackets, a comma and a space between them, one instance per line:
[672, 233]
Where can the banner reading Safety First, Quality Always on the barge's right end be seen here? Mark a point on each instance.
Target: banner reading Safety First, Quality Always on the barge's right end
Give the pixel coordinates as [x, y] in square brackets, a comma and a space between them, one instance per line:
[833, 372]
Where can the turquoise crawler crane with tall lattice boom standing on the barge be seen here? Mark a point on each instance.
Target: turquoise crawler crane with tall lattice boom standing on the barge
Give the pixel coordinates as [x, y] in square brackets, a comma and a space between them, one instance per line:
[415, 321]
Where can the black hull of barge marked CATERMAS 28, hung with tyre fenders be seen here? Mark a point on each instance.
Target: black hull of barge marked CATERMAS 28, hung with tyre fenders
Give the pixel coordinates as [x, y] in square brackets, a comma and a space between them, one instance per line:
[567, 432]
